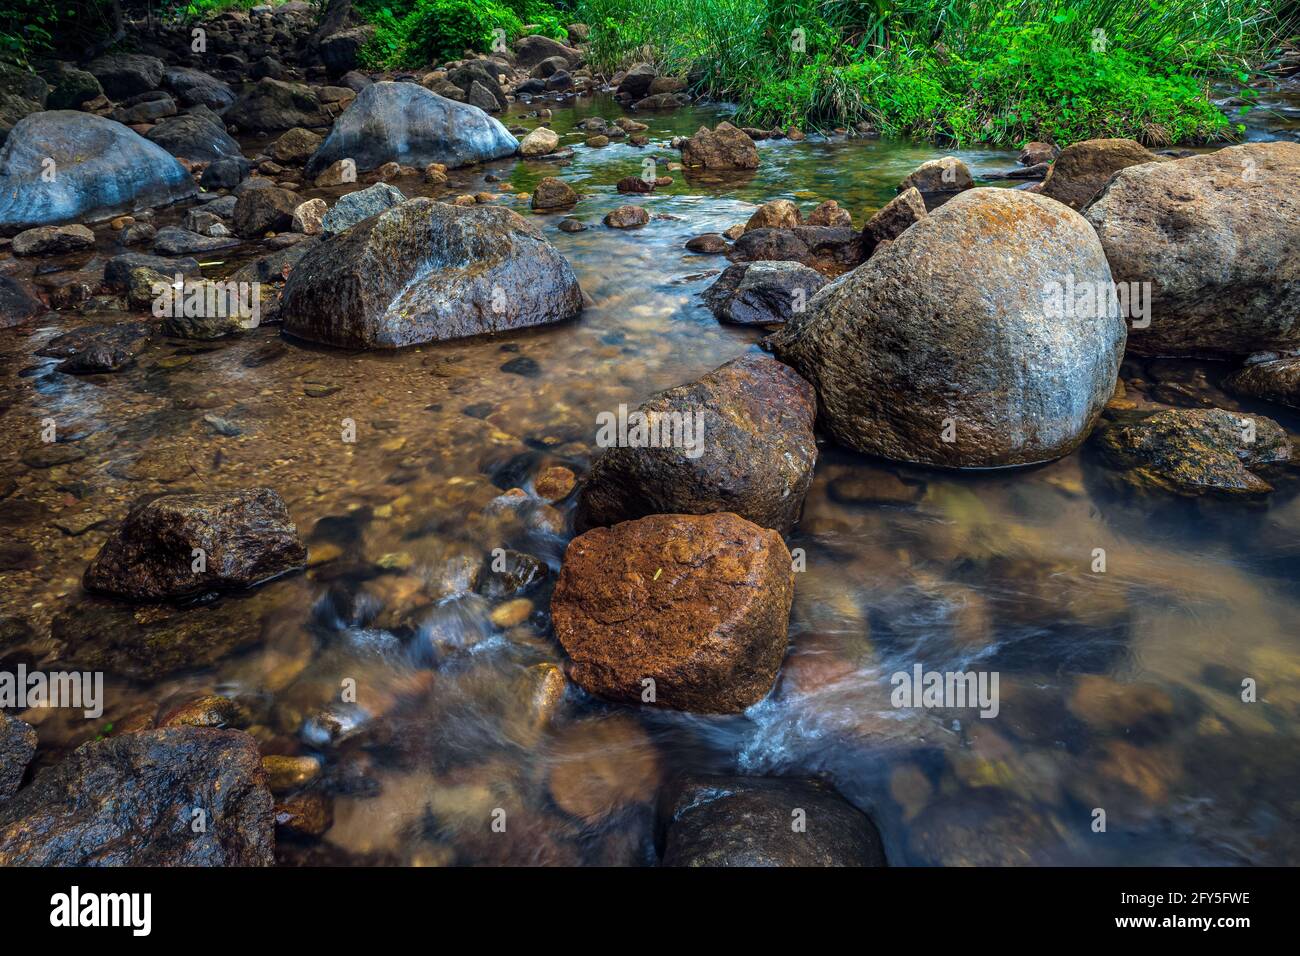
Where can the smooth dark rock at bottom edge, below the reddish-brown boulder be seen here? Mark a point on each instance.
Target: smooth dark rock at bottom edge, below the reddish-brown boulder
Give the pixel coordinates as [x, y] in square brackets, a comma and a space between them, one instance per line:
[755, 821]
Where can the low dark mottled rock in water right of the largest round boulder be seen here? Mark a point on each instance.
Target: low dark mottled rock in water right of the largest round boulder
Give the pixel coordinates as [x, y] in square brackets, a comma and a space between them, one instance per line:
[1193, 452]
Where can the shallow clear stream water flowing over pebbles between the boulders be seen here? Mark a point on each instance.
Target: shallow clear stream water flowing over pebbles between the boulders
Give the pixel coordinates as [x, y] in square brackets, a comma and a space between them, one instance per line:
[452, 720]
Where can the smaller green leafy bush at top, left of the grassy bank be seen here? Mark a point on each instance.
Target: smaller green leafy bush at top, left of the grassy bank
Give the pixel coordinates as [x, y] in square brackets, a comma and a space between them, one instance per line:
[411, 34]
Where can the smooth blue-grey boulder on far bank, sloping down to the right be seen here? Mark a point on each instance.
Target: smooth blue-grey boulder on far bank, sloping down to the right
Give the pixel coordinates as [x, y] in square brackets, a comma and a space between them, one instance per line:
[405, 123]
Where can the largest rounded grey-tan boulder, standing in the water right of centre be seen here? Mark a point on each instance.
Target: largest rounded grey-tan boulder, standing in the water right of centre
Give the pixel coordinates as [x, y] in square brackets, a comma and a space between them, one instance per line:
[961, 344]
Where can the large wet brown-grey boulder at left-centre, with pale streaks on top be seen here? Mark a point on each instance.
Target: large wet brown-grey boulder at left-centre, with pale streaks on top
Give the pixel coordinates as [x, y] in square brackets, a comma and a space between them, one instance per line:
[424, 272]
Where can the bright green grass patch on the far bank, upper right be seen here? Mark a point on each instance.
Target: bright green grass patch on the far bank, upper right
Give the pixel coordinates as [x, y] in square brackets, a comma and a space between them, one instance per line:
[974, 72]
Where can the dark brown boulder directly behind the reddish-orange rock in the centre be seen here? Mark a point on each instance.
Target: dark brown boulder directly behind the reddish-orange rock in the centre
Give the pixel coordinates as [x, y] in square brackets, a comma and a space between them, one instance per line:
[748, 448]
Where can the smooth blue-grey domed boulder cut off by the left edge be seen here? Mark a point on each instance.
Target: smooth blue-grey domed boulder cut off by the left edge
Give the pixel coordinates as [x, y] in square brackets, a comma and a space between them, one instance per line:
[102, 170]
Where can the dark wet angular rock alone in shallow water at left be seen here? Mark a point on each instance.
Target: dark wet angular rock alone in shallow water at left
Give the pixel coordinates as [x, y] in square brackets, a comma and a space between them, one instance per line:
[246, 538]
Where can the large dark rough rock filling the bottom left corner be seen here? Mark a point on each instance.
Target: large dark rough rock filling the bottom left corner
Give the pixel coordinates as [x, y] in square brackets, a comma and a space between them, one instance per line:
[132, 801]
